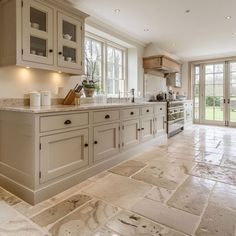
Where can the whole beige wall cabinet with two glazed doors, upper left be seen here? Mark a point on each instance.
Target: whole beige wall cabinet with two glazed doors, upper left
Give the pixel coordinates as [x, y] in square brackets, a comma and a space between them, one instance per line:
[42, 34]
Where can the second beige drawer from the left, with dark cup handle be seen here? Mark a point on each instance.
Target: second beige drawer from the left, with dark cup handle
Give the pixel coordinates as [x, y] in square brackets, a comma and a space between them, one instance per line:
[104, 116]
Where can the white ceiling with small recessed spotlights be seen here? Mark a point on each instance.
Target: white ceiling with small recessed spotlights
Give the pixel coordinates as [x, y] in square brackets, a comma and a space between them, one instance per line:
[203, 32]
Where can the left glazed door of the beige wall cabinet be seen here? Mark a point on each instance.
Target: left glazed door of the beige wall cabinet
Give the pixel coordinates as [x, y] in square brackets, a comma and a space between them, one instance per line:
[37, 33]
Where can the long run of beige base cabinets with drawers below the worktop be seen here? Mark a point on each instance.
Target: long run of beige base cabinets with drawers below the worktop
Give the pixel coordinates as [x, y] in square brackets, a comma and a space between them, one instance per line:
[57, 149]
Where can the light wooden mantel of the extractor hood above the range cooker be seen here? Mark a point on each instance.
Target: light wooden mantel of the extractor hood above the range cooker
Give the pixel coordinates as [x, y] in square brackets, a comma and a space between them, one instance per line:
[161, 63]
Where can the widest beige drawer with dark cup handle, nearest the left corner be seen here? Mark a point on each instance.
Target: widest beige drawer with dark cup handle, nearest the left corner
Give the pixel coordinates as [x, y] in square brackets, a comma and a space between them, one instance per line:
[50, 123]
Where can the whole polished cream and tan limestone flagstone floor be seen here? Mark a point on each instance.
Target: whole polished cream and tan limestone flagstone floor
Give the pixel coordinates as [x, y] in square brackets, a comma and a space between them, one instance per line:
[186, 186]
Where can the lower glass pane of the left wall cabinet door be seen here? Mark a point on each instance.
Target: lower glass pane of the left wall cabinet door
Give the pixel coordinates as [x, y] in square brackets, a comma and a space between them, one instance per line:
[38, 46]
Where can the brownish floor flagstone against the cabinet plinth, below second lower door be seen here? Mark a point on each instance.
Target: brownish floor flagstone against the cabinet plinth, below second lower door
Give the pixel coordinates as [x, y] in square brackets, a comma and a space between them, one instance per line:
[128, 168]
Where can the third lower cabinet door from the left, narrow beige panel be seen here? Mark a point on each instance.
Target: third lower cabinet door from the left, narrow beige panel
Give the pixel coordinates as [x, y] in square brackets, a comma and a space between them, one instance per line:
[131, 133]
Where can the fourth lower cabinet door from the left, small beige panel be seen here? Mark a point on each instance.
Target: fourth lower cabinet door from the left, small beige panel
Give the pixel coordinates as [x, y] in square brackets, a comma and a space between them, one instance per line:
[147, 128]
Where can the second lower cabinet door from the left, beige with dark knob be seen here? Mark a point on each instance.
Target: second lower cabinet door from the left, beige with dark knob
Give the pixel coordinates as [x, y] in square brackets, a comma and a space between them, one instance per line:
[106, 141]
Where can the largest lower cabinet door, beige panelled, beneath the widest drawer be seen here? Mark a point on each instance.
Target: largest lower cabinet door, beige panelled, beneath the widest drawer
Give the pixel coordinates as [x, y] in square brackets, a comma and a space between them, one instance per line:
[63, 153]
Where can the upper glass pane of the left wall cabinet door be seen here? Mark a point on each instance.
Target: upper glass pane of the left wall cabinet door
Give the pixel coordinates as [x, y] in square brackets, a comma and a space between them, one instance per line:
[38, 19]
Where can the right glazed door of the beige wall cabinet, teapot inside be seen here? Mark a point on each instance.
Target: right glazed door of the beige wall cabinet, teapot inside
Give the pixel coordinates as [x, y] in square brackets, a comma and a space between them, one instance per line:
[69, 42]
